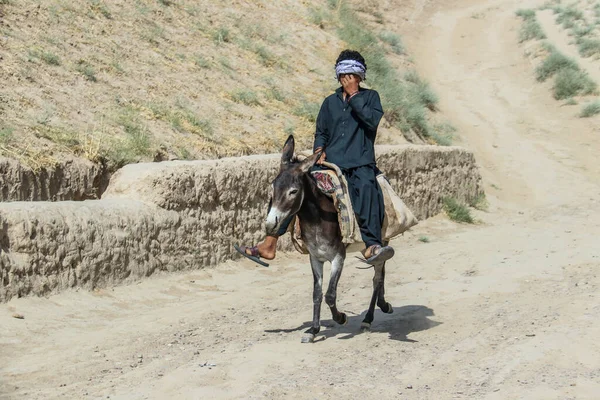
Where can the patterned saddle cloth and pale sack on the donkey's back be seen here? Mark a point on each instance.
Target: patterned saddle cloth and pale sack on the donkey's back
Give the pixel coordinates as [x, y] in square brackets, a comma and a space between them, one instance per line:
[397, 220]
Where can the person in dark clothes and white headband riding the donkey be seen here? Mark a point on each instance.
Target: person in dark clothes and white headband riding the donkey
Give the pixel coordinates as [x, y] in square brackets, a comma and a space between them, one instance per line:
[345, 135]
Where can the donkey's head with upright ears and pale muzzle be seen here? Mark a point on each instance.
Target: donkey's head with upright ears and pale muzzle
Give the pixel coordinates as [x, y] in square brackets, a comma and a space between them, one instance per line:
[288, 186]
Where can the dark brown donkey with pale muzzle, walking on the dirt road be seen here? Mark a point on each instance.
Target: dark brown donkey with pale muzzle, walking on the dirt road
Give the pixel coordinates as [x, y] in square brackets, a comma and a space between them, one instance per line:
[296, 193]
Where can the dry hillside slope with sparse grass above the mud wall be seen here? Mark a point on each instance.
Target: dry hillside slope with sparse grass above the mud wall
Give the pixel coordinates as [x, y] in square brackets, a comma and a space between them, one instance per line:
[131, 81]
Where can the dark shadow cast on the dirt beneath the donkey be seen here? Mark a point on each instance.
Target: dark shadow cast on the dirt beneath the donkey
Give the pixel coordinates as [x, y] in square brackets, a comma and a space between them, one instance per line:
[404, 321]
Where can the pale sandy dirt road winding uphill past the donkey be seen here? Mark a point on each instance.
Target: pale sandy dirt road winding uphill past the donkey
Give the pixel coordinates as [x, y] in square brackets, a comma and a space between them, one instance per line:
[505, 309]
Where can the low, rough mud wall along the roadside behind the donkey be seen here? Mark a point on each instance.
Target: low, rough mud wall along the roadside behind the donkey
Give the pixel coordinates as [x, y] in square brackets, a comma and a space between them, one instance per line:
[181, 215]
